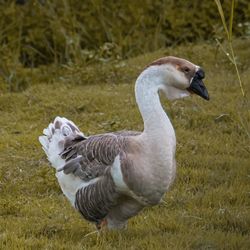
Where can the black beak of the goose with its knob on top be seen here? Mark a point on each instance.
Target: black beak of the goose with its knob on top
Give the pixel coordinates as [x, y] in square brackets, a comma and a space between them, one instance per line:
[197, 86]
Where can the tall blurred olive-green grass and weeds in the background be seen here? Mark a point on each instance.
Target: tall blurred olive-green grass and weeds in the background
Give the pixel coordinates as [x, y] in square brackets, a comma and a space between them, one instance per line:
[75, 31]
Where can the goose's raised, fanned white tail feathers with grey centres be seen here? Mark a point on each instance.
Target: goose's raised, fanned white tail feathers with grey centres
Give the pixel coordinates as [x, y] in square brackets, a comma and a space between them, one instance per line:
[54, 138]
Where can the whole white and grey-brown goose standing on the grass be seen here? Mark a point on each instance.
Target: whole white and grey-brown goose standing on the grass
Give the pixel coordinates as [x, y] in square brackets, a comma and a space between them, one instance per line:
[111, 177]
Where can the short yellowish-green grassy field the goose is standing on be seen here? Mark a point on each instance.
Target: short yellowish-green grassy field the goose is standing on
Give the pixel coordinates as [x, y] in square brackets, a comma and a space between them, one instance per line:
[208, 206]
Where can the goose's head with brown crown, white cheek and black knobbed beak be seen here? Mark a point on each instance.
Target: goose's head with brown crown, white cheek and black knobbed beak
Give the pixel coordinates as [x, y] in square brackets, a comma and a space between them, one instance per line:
[178, 78]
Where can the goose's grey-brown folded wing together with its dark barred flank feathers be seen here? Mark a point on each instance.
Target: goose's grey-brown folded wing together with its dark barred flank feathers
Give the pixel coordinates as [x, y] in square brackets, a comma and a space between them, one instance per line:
[91, 159]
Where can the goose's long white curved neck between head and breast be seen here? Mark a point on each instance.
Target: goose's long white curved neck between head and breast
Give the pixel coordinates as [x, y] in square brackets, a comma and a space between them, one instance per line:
[156, 121]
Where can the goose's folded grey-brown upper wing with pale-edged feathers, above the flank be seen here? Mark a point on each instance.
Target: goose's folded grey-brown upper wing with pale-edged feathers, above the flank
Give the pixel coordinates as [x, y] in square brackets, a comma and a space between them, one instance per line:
[89, 157]
